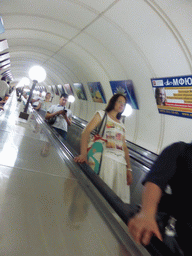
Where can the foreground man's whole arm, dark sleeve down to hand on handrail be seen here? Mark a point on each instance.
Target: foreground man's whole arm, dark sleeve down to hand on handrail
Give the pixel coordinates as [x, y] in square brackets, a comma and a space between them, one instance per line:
[144, 224]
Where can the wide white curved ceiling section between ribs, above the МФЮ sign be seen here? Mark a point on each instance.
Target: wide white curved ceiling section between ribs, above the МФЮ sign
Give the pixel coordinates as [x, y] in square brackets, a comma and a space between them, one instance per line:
[152, 35]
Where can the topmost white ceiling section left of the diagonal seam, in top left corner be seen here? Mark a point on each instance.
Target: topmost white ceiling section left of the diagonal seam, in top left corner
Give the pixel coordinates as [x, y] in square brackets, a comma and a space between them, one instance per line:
[71, 12]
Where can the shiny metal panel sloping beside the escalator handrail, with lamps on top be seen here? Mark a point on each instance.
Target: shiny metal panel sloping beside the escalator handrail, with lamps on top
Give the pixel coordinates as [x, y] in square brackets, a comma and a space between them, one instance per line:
[48, 206]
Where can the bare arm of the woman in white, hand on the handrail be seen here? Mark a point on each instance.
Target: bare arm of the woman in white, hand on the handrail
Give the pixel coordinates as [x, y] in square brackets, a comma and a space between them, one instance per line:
[85, 138]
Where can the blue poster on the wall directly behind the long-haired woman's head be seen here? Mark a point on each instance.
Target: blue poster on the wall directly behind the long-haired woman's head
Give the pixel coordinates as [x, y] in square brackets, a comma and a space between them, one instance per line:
[125, 87]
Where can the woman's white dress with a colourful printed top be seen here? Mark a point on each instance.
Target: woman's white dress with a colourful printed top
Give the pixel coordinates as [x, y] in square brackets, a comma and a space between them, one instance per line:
[113, 167]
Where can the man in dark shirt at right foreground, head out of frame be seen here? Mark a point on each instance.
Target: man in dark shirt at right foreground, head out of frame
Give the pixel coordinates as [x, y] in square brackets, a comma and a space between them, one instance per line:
[174, 168]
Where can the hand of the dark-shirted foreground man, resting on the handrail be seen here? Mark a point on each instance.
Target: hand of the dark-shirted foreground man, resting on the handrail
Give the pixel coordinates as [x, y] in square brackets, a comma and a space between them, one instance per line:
[142, 227]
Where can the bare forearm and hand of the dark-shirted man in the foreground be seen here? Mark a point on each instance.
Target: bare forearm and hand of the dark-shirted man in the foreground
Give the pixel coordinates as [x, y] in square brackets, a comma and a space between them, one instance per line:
[143, 226]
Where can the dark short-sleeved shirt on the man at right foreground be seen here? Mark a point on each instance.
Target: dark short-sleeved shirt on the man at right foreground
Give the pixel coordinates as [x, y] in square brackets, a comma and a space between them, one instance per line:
[173, 167]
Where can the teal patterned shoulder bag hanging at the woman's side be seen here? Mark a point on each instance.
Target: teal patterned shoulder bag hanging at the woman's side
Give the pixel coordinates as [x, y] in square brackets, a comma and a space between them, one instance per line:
[95, 148]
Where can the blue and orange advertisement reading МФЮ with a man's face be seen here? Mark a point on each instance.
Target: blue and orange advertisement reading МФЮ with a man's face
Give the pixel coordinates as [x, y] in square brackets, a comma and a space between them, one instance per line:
[173, 95]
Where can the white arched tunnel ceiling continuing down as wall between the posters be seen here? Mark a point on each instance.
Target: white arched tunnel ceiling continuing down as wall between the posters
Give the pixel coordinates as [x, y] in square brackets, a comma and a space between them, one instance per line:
[99, 41]
